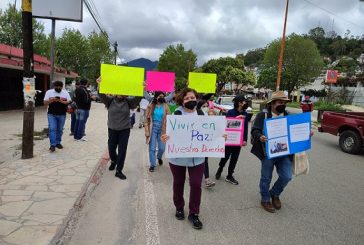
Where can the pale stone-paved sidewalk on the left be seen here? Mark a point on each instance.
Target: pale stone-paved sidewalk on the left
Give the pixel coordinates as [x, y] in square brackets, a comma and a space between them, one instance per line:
[38, 194]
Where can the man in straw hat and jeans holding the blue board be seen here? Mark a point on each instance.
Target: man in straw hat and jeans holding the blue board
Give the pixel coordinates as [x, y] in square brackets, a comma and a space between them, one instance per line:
[283, 164]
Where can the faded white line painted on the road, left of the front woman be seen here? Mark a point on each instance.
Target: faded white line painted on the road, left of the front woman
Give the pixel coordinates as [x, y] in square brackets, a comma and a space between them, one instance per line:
[151, 220]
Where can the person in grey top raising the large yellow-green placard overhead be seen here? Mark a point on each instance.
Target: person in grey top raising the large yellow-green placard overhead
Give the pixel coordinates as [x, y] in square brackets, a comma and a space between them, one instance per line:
[118, 123]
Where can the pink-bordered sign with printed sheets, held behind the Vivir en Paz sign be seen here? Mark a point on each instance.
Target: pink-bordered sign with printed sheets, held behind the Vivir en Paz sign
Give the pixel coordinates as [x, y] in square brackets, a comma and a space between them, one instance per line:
[235, 131]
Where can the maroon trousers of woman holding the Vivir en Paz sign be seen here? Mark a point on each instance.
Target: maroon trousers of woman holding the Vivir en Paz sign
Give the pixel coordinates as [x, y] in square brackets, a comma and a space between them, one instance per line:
[179, 177]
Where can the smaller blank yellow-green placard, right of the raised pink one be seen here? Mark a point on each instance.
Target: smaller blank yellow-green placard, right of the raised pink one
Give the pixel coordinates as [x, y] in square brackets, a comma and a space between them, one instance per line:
[202, 82]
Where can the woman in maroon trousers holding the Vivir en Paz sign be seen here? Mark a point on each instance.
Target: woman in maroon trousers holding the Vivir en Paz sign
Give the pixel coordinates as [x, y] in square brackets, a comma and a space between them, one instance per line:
[187, 100]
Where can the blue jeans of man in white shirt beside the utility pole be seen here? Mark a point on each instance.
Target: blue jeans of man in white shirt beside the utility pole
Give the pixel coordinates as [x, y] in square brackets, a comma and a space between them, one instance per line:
[55, 128]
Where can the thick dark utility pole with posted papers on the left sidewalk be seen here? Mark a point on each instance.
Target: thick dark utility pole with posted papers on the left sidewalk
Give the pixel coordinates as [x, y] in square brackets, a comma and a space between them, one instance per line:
[28, 81]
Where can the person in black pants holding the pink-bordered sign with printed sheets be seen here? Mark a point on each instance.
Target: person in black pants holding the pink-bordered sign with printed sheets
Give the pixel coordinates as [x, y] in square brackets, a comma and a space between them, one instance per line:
[232, 152]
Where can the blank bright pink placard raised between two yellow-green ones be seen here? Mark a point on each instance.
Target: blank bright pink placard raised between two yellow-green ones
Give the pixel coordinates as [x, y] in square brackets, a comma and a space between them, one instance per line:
[160, 81]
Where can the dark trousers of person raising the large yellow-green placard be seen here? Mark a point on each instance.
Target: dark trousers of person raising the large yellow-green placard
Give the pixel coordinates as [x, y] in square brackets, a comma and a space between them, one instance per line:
[118, 139]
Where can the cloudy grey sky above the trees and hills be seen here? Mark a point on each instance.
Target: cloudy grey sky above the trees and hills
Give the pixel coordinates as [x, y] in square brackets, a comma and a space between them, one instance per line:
[211, 28]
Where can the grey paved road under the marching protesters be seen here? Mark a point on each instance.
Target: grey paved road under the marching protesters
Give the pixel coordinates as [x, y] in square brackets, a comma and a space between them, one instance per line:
[324, 207]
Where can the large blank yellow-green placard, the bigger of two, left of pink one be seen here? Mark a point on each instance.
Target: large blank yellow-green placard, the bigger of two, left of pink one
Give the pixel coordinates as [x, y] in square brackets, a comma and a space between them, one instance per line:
[121, 80]
